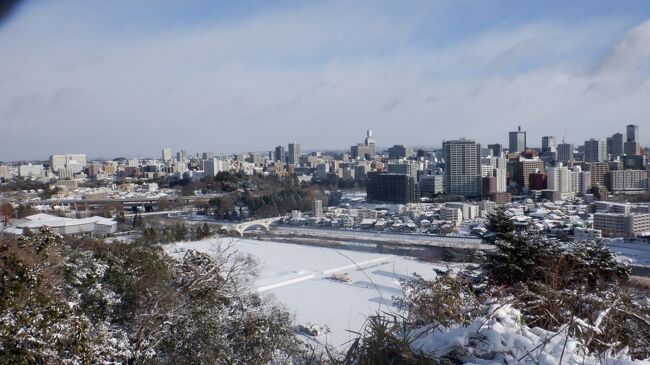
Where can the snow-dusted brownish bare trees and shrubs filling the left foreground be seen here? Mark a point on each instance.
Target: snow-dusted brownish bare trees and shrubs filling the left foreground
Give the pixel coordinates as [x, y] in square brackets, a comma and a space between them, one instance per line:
[86, 302]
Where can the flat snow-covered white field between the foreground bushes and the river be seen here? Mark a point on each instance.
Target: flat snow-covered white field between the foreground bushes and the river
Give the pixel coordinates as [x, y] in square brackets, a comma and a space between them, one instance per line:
[299, 277]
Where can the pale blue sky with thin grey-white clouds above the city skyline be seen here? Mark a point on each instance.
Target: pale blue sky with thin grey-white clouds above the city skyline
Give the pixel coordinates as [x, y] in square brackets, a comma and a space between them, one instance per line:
[128, 78]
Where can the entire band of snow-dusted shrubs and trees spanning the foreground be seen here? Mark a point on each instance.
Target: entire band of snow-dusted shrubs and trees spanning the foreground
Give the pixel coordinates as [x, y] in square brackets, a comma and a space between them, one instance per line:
[533, 300]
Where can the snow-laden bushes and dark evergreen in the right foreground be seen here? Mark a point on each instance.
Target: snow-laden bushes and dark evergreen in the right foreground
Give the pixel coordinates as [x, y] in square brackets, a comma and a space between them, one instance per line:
[534, 300]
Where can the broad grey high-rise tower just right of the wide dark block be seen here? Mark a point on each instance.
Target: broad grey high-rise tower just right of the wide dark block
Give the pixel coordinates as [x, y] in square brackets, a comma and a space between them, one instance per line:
[463, 167]
